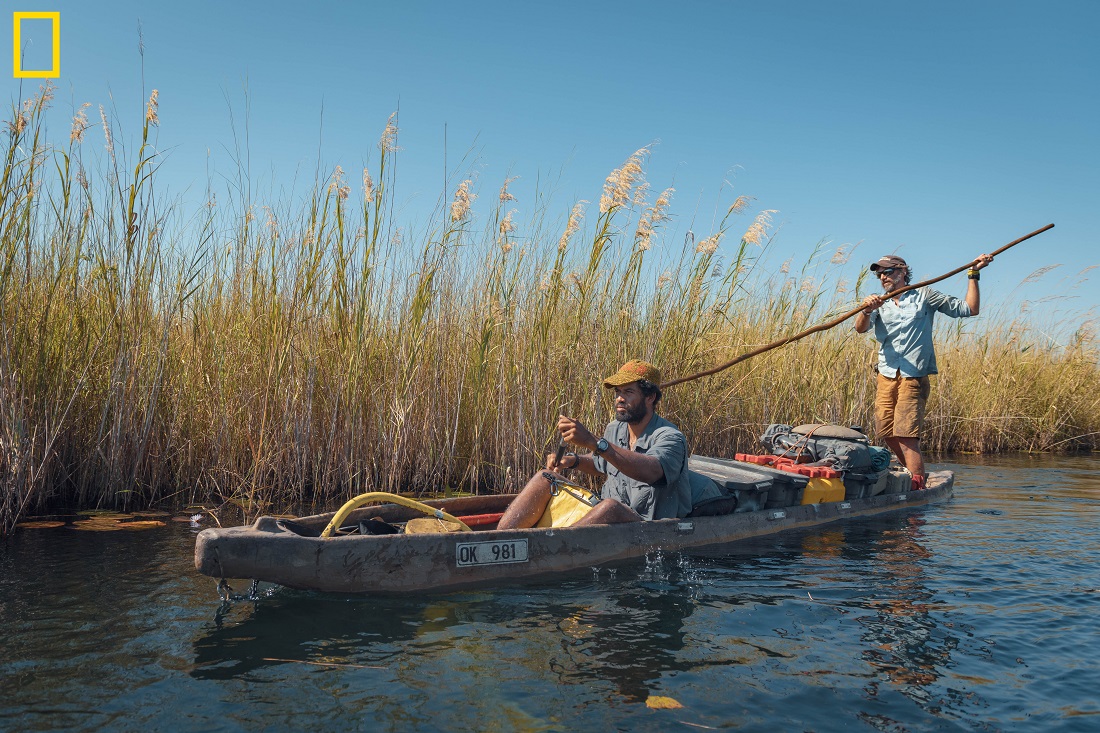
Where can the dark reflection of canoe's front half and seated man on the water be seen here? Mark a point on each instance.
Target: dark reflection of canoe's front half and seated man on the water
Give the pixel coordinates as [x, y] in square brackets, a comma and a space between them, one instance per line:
[610, 636]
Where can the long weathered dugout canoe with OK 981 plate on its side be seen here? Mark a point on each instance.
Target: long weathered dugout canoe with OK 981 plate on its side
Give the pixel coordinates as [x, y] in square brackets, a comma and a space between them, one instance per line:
[278, 552]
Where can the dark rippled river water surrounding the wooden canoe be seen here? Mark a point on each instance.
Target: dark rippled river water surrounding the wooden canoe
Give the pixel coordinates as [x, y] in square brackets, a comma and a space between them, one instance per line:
[978, 615]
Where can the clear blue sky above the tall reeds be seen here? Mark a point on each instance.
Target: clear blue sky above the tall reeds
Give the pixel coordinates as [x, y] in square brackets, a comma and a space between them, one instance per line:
[939, 130]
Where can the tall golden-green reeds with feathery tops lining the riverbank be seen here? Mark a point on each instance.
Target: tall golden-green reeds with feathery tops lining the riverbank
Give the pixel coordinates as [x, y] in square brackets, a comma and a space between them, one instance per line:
[278, 355]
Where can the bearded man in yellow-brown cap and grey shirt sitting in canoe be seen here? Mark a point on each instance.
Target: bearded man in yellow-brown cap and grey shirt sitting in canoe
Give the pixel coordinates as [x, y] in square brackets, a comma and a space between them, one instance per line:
[643, 456]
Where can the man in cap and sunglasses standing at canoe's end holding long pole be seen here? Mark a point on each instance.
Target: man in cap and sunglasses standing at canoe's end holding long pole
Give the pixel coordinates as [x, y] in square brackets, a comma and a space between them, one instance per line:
[904, 330]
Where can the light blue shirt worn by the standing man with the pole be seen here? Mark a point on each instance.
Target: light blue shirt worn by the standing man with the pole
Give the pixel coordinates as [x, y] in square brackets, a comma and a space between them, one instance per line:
[904, 331]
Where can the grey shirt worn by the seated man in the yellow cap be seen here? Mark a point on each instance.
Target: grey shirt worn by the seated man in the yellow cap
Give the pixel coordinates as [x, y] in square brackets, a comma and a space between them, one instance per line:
[668, 498]
